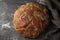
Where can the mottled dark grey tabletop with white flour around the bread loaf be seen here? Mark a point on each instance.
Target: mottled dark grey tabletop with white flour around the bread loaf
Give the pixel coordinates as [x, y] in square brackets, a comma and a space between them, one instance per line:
[7, 9]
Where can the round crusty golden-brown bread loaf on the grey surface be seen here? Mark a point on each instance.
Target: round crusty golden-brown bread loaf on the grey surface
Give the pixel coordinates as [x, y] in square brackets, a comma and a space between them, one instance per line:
[31, 19]
